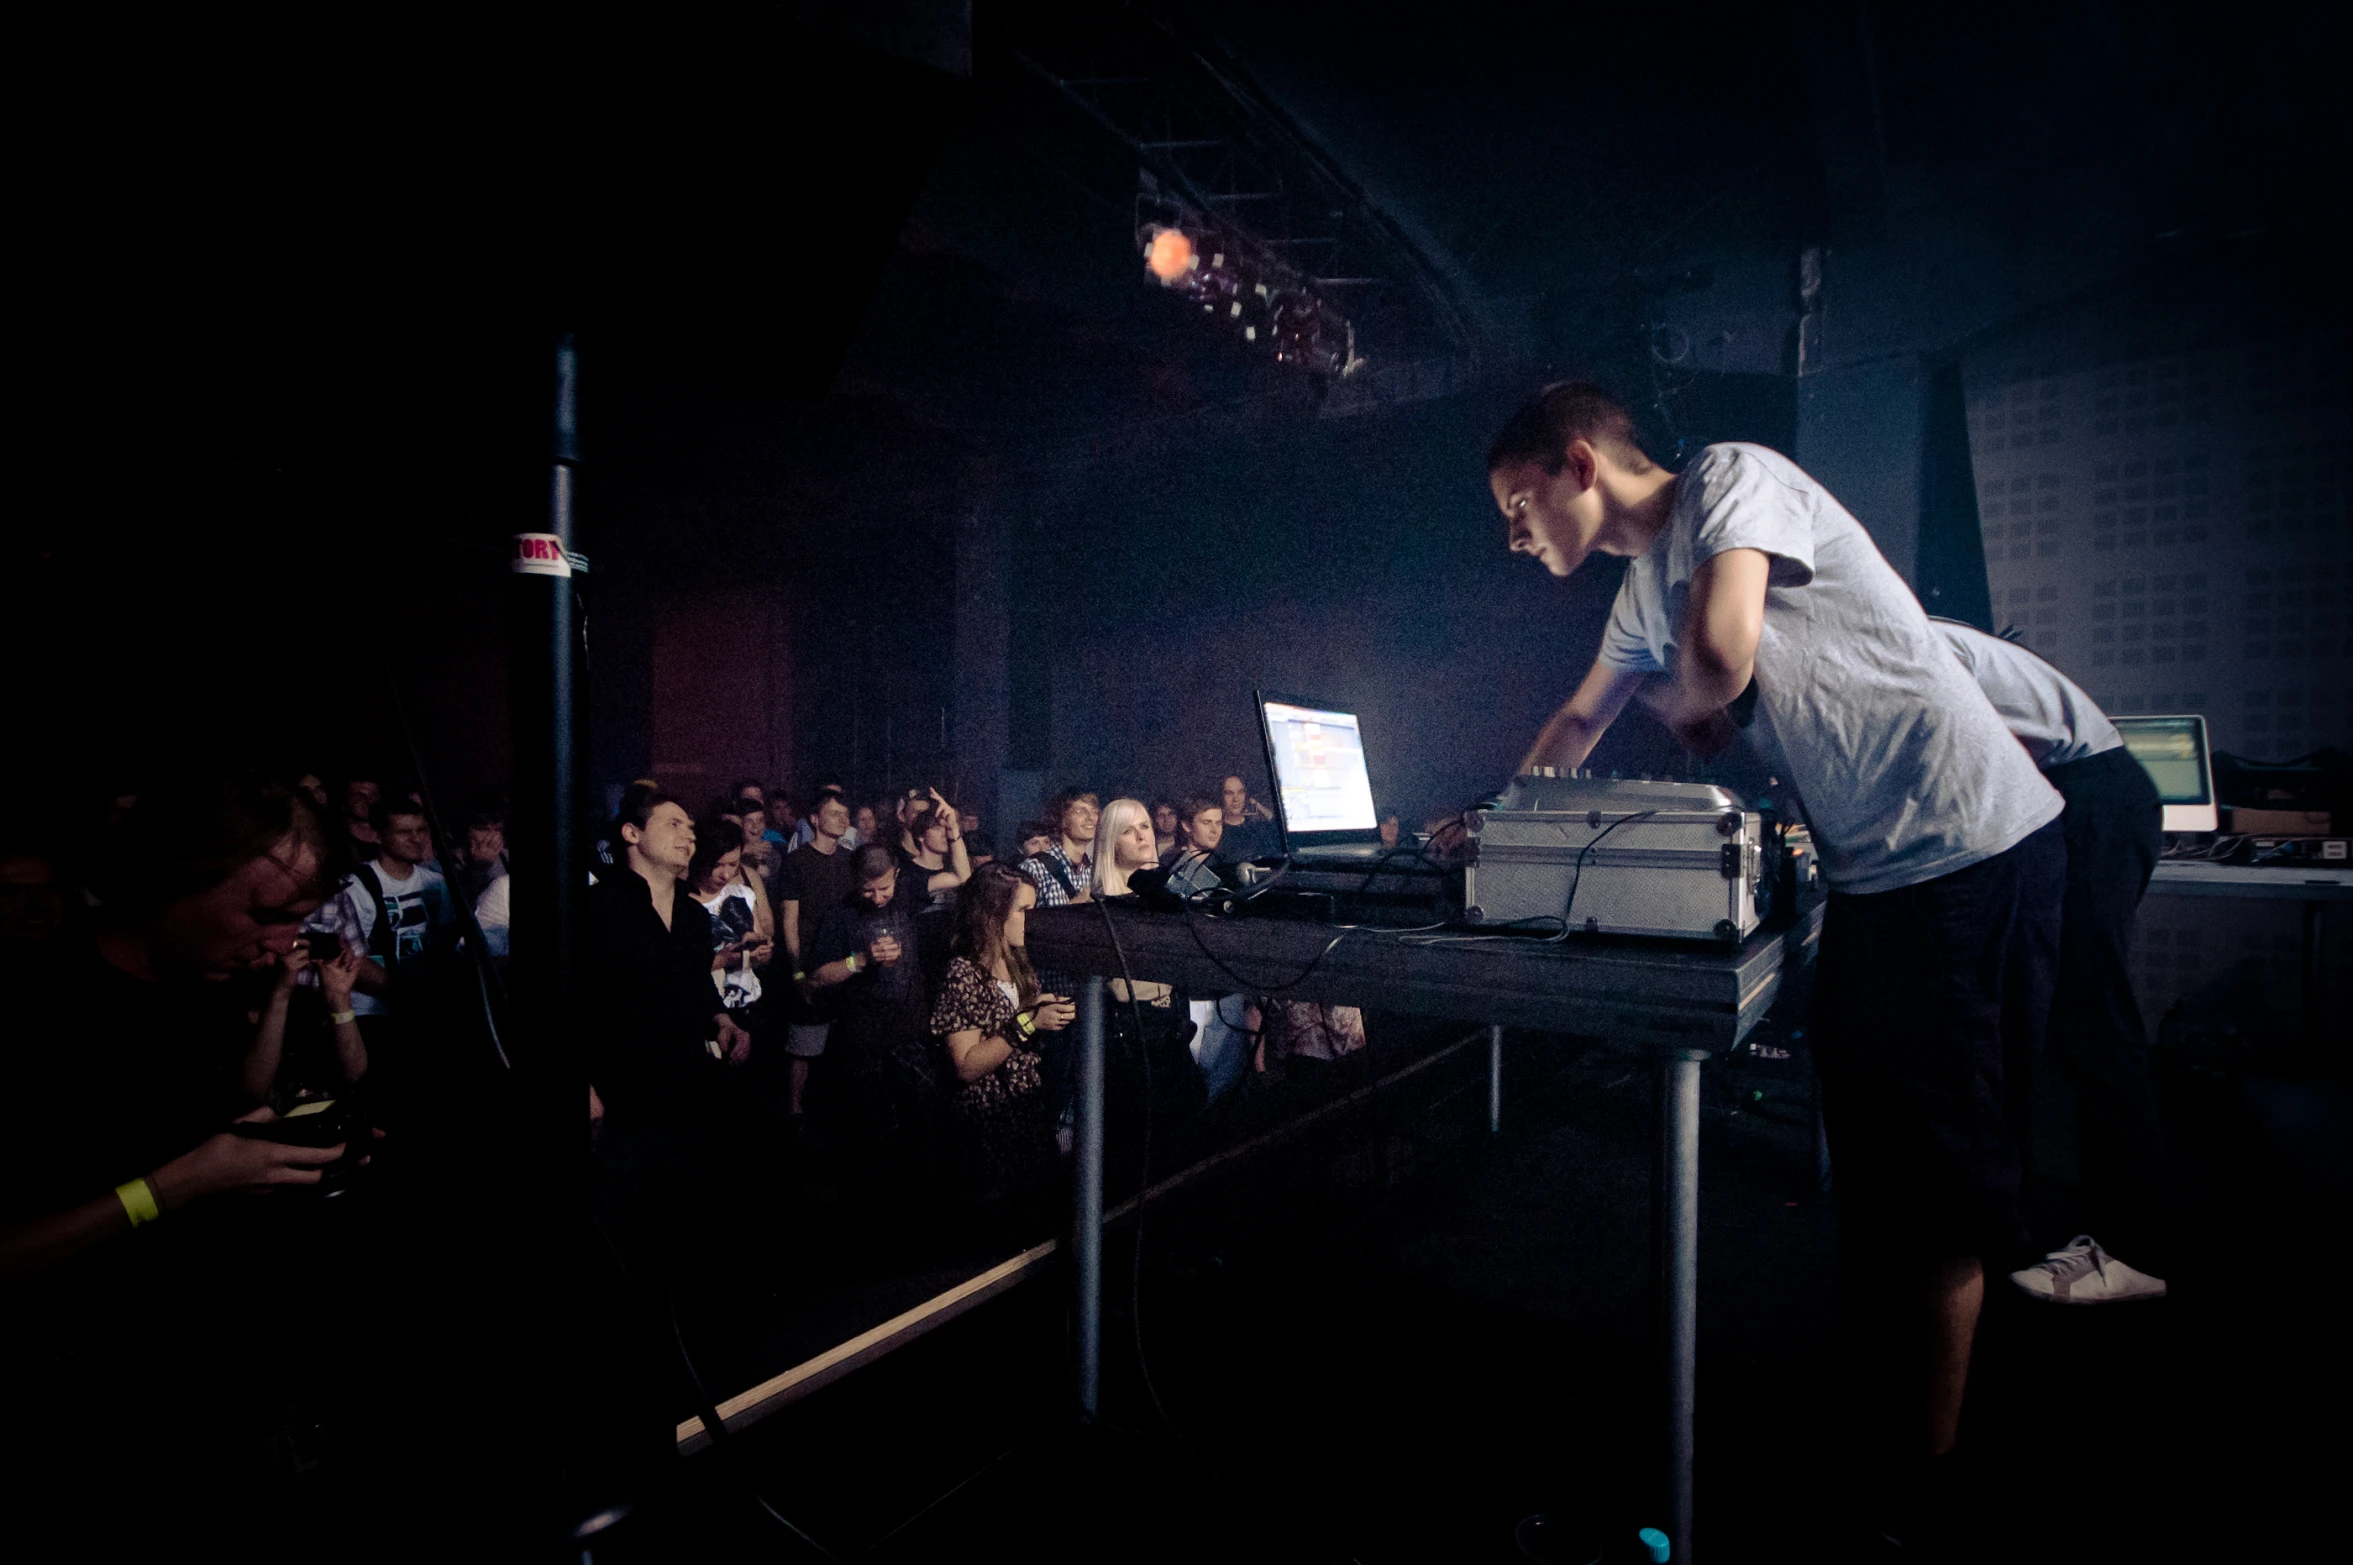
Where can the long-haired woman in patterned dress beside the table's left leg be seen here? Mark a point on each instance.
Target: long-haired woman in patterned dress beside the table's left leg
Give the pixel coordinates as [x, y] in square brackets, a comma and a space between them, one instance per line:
[989, 1020]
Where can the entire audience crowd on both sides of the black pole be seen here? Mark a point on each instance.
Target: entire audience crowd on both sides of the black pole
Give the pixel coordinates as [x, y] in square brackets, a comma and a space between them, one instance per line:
[811, 985]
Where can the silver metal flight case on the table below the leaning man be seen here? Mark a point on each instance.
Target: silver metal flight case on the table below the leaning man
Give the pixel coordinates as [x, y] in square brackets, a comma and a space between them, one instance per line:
[1639, 858]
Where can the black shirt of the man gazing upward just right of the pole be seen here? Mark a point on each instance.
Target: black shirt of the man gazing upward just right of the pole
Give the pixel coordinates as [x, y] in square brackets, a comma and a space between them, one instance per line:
[651, 1004]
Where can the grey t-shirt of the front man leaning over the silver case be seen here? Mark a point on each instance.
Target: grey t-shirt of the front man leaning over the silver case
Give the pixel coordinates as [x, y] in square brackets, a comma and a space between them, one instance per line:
[1900, 764]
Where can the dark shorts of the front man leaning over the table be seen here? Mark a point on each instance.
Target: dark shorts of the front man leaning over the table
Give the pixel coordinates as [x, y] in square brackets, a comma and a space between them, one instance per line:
[1928, 1018]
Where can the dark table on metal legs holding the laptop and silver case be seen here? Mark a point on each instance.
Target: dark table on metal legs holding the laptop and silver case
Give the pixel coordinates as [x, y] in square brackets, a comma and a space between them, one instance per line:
[1679, 999]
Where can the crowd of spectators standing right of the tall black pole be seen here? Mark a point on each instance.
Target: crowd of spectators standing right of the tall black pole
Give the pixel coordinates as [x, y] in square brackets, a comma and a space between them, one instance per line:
[841, 994]
